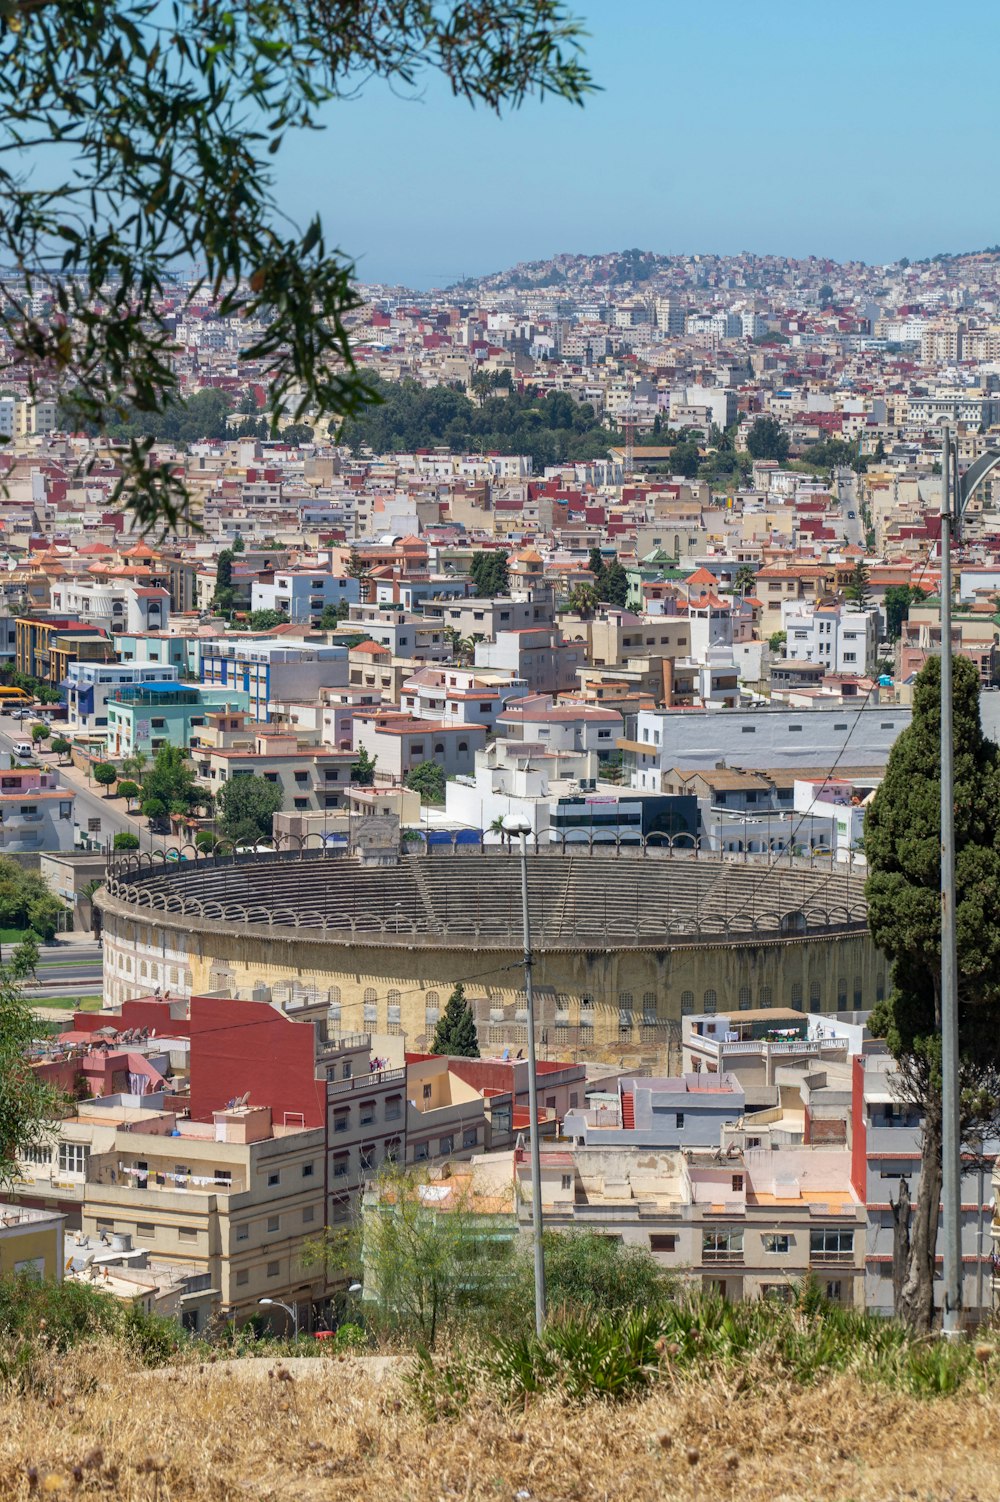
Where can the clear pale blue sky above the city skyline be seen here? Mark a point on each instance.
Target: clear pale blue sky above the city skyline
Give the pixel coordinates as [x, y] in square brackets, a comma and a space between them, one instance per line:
[854, 130]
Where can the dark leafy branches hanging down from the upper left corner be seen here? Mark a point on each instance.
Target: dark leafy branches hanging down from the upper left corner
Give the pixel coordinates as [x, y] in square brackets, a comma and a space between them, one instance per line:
[170, 127]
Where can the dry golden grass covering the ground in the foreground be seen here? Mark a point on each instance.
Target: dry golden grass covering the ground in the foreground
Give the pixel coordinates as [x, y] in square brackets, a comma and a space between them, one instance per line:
[346, 1429]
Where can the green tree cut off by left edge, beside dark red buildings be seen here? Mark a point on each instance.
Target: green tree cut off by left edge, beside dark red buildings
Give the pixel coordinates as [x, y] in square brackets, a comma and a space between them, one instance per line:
[29, 1105]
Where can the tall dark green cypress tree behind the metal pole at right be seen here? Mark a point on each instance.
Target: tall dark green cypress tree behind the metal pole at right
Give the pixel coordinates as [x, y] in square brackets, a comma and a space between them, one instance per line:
[903, 834]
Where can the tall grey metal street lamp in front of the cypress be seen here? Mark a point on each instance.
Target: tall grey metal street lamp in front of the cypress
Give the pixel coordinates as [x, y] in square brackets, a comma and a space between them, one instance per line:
[957, 492]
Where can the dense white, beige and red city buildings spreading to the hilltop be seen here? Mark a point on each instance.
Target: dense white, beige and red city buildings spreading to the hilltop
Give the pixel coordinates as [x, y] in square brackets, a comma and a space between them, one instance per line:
[702, 645]
